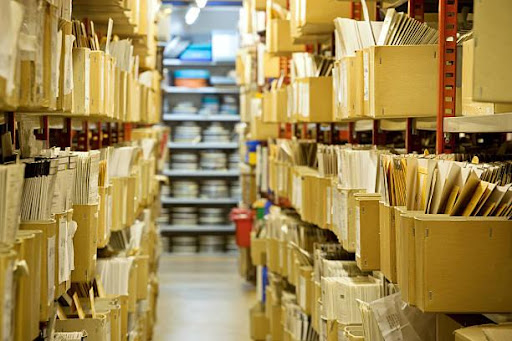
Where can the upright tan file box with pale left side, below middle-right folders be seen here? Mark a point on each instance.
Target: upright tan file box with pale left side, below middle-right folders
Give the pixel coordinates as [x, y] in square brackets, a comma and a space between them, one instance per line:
[367, 232]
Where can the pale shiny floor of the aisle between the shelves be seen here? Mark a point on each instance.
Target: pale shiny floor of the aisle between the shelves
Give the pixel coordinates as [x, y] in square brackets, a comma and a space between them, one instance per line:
[202, 297]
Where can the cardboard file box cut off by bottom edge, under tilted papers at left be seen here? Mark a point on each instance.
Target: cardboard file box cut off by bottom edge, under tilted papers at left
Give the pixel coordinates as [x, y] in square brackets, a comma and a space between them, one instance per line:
[97, 328]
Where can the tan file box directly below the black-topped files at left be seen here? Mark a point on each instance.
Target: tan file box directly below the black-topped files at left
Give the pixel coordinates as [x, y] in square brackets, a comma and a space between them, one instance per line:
[48, 261]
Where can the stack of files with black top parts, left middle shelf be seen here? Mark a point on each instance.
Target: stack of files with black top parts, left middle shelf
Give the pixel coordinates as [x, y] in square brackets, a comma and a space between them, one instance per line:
[38, 189]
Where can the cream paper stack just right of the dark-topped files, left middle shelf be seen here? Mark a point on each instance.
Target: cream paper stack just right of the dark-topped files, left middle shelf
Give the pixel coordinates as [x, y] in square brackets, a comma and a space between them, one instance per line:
[86, 178]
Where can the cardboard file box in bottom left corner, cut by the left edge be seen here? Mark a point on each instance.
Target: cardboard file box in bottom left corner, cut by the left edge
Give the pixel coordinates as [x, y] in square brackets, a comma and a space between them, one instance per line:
[7, 263]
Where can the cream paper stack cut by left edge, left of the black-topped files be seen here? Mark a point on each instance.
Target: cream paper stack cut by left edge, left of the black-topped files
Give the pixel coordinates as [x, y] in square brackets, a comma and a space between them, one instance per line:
[11, 187]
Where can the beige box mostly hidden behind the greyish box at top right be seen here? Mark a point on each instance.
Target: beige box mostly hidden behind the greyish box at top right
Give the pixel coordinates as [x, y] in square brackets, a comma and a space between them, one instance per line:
[470, 107]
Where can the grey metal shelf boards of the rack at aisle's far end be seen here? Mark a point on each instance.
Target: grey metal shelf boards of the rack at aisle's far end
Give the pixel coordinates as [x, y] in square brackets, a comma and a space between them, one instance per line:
[172, 95]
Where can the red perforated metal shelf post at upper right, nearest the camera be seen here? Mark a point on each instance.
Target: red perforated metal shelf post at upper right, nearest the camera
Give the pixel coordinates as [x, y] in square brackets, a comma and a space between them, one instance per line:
[447, 69]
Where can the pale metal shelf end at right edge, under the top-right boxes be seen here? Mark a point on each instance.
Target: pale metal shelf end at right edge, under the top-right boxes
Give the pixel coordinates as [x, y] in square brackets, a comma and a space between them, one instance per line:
[498, 123]
